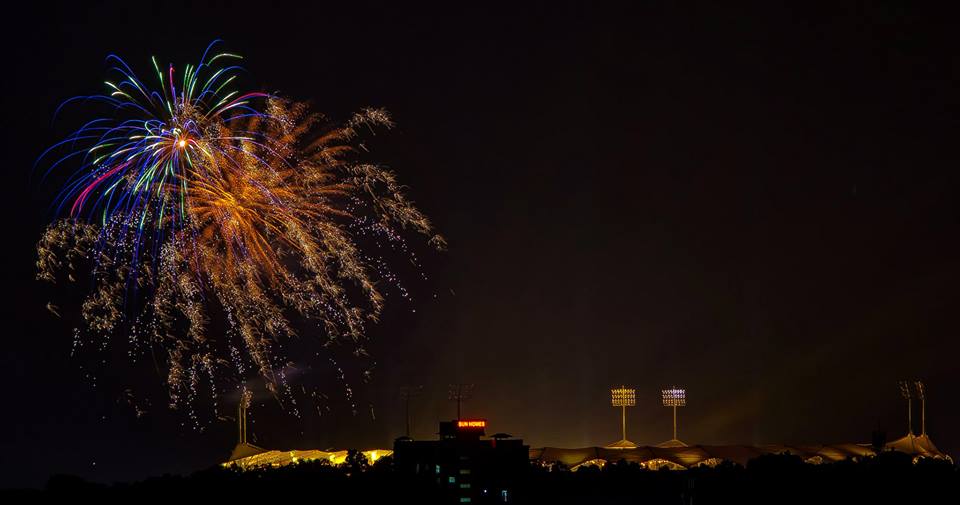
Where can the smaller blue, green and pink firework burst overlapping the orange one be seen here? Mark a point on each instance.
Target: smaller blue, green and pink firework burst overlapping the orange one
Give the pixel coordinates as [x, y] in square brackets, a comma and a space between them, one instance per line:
[136, 169]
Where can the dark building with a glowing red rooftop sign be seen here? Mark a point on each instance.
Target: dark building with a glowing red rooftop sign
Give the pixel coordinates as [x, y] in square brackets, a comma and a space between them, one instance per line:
[467, 467]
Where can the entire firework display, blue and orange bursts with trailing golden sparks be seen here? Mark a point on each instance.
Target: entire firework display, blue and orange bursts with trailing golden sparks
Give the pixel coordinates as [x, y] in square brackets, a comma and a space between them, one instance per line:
[193, 195]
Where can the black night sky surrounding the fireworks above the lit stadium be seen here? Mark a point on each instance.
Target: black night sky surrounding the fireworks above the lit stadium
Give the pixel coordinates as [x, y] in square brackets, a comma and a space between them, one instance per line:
[760, 204]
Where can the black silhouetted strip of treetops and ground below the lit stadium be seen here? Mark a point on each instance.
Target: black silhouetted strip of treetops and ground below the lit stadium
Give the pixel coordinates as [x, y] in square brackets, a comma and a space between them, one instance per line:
[889, 478]
